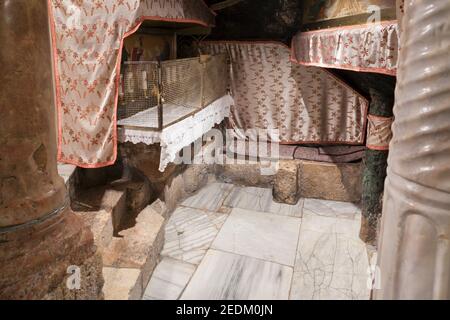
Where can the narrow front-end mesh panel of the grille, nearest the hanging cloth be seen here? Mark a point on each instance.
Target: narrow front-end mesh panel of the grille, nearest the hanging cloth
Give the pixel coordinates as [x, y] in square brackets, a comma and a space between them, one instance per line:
[138, 88]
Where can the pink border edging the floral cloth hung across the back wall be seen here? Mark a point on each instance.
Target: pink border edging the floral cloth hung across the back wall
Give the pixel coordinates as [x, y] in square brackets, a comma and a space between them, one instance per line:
[293, 60]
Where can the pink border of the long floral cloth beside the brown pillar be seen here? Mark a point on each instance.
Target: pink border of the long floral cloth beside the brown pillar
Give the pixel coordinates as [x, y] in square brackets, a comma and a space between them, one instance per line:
[117, 80]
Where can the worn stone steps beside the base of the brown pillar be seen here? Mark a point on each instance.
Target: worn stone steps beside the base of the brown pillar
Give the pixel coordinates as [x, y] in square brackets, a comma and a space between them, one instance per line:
[128, 232]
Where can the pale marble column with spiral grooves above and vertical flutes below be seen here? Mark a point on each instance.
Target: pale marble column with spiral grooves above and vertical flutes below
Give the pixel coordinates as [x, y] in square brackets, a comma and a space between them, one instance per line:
[414, 248]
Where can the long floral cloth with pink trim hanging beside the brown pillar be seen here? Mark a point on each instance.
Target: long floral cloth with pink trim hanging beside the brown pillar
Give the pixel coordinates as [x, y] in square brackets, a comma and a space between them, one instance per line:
[87, 38]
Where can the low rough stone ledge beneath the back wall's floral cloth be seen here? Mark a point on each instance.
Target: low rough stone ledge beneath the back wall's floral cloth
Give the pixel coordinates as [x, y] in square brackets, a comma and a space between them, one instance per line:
[300, 178]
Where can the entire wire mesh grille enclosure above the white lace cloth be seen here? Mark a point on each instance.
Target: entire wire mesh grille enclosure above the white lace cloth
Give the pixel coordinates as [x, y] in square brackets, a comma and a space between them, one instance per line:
[154, 95]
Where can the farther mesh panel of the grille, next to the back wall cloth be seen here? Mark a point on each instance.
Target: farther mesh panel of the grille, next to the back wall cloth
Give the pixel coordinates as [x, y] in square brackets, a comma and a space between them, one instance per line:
[215, 82]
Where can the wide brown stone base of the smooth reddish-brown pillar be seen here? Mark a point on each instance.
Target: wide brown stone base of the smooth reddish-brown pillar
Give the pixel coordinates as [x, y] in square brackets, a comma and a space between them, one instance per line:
[35, 260]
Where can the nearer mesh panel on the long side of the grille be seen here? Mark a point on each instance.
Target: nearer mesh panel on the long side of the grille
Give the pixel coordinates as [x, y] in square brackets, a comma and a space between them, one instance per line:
[181, 82]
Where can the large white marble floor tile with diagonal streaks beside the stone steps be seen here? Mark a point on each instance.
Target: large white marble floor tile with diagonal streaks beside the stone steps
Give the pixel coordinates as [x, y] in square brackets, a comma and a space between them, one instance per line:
[190, 232]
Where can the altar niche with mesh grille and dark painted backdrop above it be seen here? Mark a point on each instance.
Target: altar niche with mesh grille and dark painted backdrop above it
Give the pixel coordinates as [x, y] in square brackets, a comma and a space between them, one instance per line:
[158, 90]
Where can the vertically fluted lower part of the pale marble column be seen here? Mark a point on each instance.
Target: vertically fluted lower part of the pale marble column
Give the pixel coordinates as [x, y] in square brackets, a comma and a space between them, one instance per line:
[414, 254]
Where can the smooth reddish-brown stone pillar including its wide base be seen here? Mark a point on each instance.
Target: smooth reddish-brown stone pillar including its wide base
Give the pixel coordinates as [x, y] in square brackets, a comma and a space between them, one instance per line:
[40, 238]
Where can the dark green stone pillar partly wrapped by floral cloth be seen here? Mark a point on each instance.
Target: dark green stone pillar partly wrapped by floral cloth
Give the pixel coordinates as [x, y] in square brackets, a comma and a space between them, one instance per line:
[375, 164]
